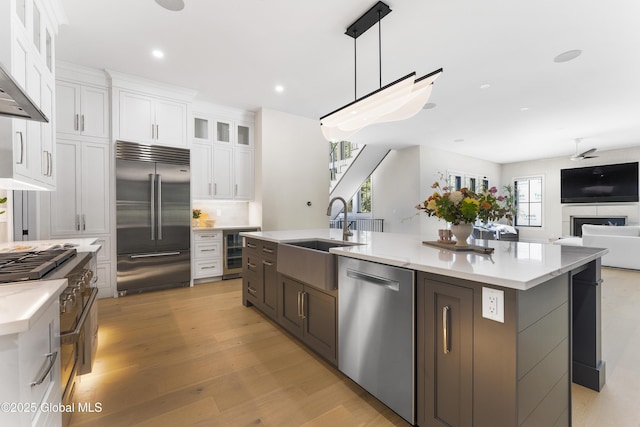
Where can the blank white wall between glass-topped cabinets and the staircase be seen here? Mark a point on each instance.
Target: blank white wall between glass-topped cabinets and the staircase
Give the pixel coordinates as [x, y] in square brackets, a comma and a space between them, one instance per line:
[292, 165]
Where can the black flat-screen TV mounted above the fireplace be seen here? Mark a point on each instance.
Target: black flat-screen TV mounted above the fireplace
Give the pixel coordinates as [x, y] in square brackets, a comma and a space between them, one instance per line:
[595, 184]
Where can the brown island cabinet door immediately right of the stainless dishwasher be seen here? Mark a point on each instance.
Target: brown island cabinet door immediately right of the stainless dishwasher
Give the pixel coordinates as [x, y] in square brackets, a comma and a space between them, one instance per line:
[445, 355]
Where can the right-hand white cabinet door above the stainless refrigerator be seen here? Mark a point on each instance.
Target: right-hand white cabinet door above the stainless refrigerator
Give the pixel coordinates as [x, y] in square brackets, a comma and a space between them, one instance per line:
[171, 123]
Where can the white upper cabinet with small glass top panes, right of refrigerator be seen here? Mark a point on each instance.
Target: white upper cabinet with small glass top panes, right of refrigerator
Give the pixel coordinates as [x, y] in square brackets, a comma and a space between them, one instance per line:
[222, 159]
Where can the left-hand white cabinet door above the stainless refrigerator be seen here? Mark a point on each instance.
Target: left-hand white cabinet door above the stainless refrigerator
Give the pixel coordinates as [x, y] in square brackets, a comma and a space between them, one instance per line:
[137, 118]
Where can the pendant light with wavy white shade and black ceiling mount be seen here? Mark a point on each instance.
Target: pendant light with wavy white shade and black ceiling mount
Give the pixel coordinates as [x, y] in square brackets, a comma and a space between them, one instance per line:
[396, 101]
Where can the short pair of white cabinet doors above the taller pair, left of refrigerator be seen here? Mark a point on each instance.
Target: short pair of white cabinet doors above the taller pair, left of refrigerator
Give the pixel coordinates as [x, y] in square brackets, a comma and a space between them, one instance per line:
[82, 110]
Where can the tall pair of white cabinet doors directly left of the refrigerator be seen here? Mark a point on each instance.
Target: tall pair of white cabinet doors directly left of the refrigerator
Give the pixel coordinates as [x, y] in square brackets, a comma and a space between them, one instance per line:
[80, 206]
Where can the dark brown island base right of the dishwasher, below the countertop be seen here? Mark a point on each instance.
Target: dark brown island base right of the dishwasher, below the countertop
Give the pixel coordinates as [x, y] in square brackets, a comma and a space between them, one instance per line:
[473, 371]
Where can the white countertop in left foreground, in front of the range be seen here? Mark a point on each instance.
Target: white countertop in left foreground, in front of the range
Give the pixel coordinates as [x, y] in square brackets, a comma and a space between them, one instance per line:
[22, 303]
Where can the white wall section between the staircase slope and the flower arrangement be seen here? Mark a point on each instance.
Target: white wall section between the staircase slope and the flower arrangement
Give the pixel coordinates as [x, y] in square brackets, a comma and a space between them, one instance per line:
[396, 191]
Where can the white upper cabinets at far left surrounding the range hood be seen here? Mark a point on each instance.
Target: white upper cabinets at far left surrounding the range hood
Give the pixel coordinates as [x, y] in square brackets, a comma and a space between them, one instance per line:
[27, 52]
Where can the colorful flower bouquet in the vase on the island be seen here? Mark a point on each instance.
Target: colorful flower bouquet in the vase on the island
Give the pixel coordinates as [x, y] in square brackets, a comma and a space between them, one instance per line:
[464, 205]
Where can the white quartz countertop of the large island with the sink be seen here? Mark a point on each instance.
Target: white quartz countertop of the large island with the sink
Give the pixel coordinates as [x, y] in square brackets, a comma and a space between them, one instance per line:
[517, 265]
